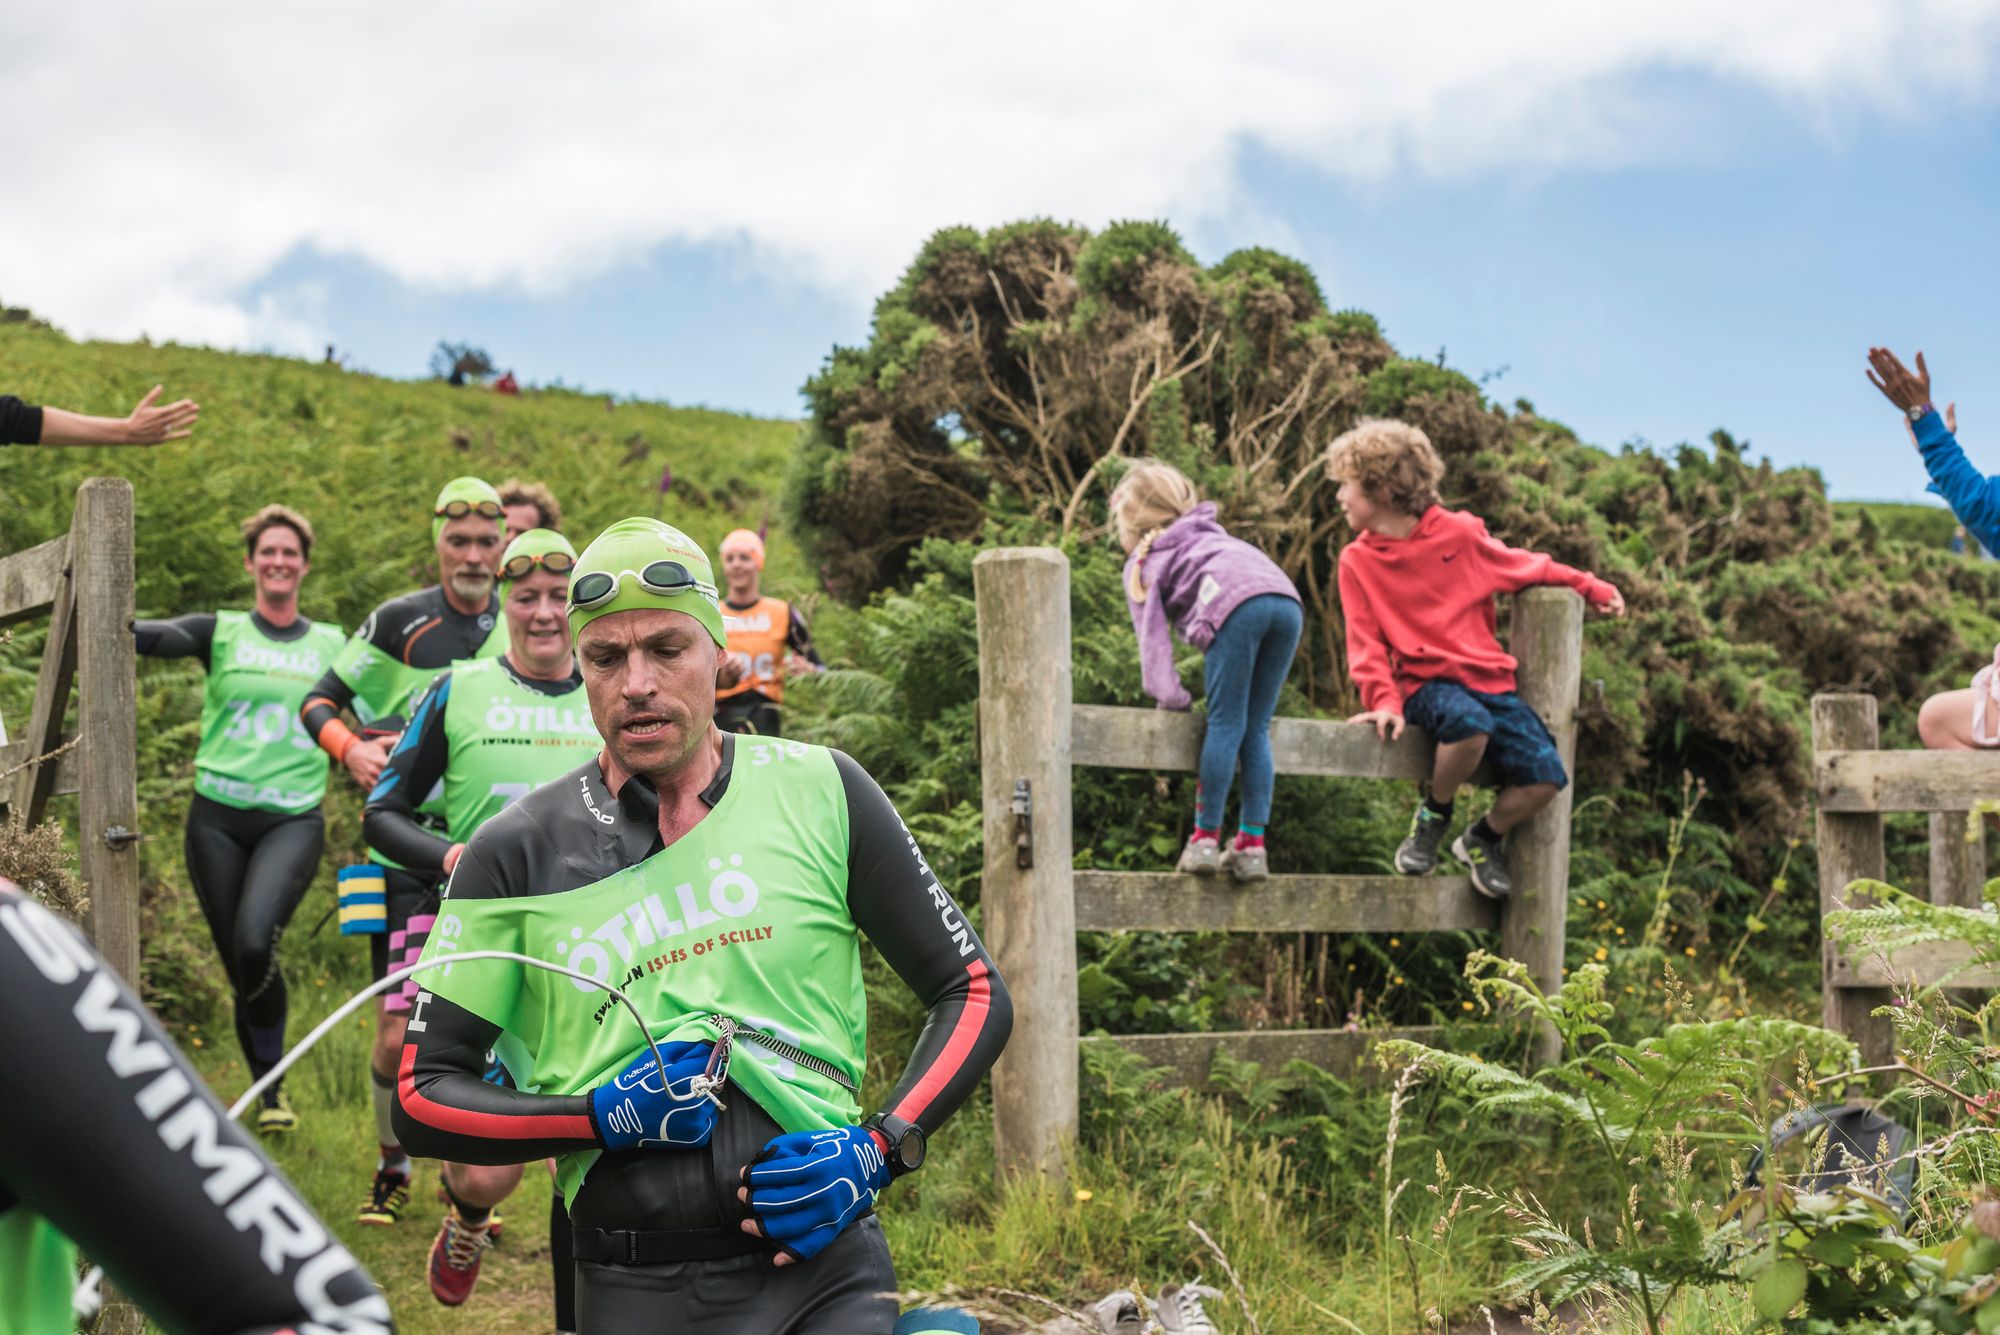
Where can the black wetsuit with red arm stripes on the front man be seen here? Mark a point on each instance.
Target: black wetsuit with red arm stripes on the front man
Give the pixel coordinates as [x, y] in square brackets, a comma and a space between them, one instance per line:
[577, 832]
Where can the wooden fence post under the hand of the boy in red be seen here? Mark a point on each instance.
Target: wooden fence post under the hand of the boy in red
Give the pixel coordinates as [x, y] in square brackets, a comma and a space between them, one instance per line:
[1549, 641]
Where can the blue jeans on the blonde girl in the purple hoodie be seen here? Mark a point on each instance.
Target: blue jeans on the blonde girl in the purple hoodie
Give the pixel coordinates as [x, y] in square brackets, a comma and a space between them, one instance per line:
[1241, 674]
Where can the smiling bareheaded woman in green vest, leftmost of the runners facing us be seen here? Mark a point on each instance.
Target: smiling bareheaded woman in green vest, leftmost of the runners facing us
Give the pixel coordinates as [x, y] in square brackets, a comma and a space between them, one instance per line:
[255, 828]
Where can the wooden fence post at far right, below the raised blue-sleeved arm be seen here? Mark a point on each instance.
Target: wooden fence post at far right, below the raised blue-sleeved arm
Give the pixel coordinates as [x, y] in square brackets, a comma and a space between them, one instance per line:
[1851, 848]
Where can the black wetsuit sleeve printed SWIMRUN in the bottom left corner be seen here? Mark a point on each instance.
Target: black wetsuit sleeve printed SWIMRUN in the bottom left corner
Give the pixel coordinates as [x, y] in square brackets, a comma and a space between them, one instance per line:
[113, 1138]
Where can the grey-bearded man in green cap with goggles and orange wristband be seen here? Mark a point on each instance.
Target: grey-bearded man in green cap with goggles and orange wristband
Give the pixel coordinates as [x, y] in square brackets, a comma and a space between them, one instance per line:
[379, 674]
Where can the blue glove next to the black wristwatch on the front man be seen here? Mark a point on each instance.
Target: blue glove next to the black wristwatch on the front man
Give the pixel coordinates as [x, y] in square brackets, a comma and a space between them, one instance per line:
[807, 1186]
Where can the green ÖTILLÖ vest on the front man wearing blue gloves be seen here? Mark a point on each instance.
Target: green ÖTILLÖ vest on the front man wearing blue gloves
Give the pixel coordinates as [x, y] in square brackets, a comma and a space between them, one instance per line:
[743, 916]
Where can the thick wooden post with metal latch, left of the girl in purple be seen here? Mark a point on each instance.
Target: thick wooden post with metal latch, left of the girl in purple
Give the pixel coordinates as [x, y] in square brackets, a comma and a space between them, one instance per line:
[1023, 599]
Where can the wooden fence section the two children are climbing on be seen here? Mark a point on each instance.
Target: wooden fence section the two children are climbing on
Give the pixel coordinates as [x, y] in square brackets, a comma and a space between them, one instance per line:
[1033, 734]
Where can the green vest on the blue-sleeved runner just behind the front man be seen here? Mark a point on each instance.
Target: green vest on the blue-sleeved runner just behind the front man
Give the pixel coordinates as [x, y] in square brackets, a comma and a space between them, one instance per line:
[505, 740]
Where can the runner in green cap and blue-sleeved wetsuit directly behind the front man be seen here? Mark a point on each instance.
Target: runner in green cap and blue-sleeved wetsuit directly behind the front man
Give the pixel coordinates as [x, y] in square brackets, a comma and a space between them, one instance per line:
[489, 730]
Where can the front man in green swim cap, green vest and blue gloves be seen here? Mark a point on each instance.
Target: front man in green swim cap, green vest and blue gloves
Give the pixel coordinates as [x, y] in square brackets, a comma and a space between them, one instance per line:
[725, 884]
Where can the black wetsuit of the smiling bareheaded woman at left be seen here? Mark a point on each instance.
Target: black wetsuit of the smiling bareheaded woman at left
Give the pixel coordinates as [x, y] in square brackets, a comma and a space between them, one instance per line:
[249, 868]
